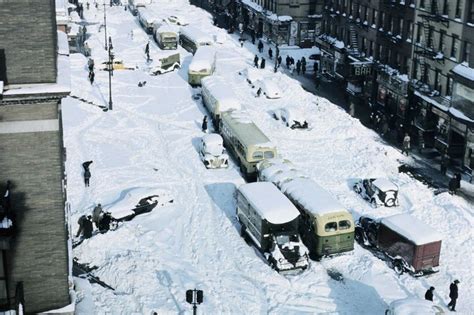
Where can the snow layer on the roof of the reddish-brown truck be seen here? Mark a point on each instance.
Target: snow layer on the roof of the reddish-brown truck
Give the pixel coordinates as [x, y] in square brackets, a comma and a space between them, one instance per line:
[412, 228]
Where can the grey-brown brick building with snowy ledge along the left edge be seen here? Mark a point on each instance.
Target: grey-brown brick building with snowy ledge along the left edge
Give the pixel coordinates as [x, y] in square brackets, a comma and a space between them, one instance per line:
[34, 77]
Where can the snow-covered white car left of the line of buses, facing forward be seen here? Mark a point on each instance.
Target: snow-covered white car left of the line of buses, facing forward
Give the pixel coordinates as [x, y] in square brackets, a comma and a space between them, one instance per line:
[212, 151]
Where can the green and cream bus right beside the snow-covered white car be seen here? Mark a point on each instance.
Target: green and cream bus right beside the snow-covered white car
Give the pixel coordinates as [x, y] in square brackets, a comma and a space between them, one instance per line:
[248, 144]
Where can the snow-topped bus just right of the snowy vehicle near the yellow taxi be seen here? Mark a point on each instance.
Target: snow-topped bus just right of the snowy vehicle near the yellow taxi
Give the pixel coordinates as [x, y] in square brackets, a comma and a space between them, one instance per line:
[202, 65]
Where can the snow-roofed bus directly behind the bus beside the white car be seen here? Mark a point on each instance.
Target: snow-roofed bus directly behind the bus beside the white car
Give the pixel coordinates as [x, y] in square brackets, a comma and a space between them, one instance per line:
[217, 97]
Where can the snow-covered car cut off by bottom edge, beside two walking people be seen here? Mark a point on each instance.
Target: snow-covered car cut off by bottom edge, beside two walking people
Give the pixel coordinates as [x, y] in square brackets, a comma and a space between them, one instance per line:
[414, 306]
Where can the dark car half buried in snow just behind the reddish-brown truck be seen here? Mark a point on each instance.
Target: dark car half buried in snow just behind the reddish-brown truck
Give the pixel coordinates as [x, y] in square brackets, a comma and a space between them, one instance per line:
[378, 191]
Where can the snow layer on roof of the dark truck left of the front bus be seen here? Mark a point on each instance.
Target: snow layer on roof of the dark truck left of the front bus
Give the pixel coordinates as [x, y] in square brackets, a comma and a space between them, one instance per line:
[267, 200]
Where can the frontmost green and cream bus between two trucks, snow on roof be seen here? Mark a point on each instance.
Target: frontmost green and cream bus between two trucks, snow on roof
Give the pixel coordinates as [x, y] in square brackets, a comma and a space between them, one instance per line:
[326, 228]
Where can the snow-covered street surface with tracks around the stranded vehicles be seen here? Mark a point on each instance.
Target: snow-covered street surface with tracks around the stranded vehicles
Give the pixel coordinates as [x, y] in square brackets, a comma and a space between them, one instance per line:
[148, 144]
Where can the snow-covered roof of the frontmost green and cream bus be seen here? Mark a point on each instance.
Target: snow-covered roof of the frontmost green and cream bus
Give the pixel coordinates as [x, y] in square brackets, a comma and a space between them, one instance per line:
[311, 196]
